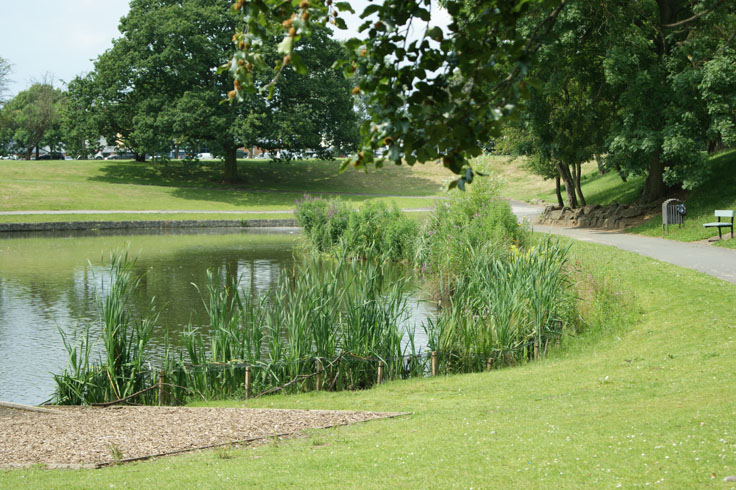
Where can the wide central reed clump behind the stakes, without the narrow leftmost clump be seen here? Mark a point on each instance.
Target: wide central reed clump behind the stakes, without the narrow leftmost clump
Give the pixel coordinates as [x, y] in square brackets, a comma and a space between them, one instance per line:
[340, 317]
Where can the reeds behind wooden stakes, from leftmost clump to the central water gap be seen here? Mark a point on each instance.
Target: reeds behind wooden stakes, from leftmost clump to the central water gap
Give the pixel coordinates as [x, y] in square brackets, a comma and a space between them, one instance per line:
[341, 318]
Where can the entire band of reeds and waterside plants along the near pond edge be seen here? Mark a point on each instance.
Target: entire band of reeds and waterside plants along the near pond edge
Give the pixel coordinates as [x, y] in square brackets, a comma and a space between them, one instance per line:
[337, 320]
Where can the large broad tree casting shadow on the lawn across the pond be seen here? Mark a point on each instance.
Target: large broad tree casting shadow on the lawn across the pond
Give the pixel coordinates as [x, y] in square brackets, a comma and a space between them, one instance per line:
[159, 85]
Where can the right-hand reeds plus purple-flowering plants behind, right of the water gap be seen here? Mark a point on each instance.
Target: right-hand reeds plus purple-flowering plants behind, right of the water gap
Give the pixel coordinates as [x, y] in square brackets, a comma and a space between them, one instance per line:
[502, 300]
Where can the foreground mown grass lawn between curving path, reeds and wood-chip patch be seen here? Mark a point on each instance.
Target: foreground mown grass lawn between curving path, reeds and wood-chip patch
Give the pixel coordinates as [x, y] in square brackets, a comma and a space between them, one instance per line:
[648, 403]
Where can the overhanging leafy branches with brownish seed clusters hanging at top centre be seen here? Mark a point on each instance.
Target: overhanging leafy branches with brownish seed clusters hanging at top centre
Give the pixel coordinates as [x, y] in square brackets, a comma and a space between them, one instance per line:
[418, 114]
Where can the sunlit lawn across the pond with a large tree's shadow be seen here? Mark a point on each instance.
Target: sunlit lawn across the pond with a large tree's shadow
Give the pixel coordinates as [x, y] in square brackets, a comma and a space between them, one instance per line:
[268, 186]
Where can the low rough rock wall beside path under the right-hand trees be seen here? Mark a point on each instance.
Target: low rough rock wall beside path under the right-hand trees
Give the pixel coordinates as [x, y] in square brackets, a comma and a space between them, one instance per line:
[612, 217]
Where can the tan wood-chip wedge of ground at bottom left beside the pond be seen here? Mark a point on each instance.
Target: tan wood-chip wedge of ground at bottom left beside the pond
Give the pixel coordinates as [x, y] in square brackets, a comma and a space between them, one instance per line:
[90, 437]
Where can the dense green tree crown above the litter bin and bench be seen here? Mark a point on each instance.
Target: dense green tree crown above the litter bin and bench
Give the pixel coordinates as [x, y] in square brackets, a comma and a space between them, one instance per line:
[664, 62]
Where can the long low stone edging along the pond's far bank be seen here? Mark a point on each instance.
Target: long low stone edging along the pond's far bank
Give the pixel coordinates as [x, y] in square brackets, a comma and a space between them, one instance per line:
[157, 225]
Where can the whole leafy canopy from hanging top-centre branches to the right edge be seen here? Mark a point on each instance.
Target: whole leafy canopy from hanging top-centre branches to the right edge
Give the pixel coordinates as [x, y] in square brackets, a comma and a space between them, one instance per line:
[651, 83]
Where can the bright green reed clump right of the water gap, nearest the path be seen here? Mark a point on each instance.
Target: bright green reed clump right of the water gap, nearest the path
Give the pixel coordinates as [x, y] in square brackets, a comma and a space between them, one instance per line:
[505, 310]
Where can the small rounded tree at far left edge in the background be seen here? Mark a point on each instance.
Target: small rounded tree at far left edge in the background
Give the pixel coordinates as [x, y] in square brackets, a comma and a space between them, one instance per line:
[32, 118]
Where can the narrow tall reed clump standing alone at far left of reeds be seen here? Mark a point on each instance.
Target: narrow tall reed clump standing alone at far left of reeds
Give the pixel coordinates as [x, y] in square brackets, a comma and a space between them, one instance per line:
[122, 372]
